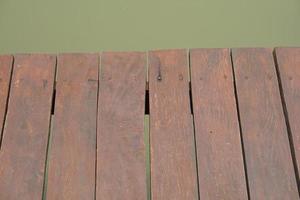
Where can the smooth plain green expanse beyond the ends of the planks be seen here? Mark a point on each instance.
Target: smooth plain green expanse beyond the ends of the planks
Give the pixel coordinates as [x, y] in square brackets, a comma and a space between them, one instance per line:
[95, 25]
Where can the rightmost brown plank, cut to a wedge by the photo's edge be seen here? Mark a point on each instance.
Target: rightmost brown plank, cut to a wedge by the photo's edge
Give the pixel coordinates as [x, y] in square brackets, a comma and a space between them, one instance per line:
[288, 63]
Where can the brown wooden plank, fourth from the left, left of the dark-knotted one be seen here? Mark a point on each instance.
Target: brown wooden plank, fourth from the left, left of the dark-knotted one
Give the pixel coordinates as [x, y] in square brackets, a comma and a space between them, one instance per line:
[121, 164]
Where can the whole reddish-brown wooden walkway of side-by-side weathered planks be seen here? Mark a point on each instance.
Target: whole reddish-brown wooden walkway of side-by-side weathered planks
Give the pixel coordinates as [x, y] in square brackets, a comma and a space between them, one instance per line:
[224, 124]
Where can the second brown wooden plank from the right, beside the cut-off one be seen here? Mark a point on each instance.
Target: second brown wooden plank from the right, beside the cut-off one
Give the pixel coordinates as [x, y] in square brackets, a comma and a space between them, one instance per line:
[267, 151]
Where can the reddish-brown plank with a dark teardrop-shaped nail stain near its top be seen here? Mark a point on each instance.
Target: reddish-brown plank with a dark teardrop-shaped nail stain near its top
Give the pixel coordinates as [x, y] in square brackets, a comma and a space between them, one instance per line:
[173, 162]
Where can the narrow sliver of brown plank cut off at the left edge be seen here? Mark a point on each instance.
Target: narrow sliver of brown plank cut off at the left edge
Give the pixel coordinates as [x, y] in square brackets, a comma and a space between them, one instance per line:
[5, 75]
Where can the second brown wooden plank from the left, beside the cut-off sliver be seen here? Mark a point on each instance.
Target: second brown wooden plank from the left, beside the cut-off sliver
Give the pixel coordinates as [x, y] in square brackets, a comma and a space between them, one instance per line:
[23, 152]
